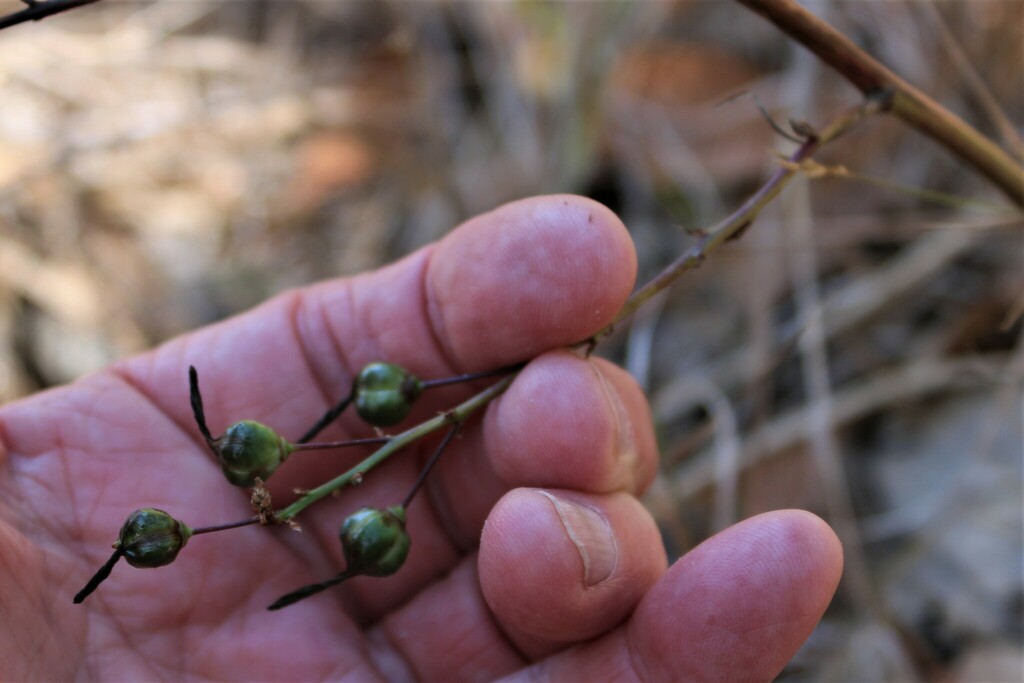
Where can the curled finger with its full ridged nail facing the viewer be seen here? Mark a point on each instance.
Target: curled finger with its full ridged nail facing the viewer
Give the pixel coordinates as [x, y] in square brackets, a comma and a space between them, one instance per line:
[559, 567]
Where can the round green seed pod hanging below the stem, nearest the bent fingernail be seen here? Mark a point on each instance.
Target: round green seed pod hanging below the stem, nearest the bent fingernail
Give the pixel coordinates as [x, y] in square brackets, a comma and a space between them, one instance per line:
[375, 541]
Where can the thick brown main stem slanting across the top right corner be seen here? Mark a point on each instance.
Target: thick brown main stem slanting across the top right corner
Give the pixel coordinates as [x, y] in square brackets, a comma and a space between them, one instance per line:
[910, 104]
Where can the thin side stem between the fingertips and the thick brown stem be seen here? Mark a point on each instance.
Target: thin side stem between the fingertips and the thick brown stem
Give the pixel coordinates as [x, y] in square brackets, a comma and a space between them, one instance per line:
[733, 227]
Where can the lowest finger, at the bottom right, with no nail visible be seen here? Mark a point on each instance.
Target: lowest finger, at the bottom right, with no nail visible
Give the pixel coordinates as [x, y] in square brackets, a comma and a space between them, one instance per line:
[736, 609]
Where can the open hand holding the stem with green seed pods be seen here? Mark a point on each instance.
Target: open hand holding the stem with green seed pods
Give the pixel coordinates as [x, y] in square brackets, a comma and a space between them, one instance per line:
[531, 559]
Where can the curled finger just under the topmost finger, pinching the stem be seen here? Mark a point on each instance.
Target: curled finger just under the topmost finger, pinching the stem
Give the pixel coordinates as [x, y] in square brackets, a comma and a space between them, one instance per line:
[580, 424]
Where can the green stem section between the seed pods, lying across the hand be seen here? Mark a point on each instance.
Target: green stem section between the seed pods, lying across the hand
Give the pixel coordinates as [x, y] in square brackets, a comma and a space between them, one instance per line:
[458, 414]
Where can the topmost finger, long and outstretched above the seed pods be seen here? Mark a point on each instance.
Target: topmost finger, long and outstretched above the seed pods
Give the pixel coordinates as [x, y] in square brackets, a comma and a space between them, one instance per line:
[530, 277]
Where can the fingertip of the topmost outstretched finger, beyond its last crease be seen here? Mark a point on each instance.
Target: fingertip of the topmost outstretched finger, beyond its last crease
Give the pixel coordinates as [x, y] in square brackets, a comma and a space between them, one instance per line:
[550, 270]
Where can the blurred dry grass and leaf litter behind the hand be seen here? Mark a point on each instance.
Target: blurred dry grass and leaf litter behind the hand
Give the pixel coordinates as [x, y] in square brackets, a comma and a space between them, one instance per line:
[859, 354]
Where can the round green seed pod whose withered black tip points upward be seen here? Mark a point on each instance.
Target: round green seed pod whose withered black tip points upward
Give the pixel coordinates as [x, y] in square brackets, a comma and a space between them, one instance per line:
[249, 450]
